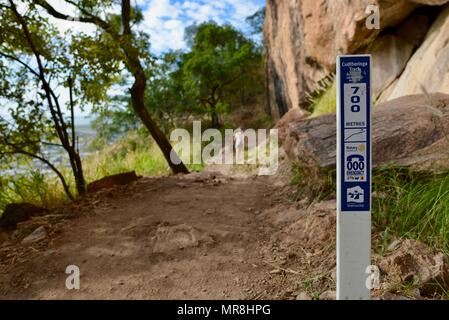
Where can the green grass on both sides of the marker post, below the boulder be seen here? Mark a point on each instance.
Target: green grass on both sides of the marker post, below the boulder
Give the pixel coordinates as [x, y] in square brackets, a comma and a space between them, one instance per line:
[406, 204]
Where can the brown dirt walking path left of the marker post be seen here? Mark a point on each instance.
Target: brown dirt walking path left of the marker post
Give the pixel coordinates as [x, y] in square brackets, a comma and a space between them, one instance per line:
[201, 236]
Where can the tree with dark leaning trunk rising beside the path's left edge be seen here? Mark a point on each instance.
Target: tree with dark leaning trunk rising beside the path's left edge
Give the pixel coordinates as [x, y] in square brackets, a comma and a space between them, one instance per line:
[126, 44]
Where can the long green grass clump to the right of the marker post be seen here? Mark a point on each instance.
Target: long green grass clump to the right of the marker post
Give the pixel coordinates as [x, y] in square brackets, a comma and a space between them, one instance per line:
[413, 205]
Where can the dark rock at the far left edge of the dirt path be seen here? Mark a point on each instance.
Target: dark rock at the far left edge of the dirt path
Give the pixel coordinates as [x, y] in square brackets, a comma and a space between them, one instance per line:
[15, 213]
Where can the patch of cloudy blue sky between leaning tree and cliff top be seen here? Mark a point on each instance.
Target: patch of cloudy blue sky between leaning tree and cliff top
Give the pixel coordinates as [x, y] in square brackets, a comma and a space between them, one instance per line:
[165, 20]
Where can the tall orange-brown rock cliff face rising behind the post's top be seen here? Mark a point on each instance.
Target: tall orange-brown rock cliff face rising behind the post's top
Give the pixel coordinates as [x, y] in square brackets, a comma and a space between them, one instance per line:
[303, 37]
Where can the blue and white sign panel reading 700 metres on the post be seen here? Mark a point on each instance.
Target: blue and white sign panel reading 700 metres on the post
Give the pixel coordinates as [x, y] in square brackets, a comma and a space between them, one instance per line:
[354, 78]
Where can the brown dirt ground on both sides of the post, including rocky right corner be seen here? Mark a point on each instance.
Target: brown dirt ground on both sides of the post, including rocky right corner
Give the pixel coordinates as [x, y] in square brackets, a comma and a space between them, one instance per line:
[201, 236]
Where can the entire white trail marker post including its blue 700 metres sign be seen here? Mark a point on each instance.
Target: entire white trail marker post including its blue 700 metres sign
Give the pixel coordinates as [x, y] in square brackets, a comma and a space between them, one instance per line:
[353, 176]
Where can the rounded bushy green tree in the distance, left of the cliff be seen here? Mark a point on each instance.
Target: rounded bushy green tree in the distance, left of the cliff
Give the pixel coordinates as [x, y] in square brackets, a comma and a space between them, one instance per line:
[221, 59]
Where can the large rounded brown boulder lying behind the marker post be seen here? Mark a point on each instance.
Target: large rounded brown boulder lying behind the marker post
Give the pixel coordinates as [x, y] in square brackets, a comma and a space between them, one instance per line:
[408, 131]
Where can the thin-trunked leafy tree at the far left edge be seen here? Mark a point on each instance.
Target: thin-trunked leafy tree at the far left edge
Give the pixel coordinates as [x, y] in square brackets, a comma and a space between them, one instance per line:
[34, 60]
